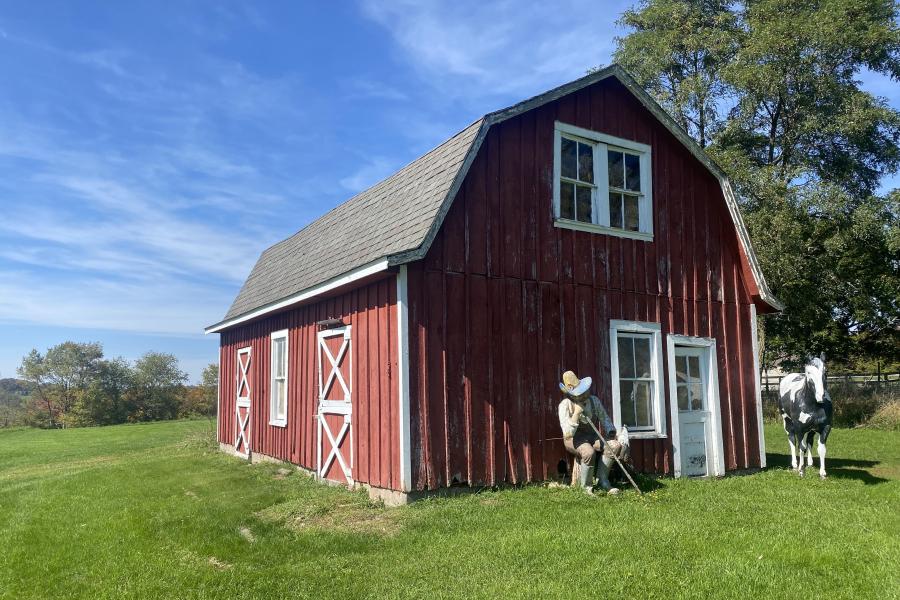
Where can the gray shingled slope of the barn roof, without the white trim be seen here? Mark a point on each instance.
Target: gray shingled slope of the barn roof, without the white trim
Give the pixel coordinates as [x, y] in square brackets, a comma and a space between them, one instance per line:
[390, 218]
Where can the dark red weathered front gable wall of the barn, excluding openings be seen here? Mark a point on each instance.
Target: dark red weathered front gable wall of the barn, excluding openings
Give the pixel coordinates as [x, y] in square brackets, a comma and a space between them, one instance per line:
[504, 301]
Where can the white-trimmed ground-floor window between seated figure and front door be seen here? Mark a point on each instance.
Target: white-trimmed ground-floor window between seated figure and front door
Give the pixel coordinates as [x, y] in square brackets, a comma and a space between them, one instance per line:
[636, 373]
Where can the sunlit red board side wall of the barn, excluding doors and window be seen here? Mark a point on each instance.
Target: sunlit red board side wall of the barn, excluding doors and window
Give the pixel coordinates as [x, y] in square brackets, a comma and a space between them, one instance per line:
[372, 313]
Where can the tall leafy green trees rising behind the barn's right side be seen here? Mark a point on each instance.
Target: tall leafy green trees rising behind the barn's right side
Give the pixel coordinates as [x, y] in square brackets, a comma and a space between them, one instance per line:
[804, 144]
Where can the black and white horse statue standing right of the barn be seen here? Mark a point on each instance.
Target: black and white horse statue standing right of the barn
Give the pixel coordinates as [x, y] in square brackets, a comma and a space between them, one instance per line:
[806, 410]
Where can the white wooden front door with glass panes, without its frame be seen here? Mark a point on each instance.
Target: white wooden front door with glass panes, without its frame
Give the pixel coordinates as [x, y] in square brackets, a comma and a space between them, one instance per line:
[694, 419]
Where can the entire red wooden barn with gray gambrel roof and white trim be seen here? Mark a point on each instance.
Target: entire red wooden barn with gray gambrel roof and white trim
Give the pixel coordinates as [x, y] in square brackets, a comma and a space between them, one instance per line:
[413, 338]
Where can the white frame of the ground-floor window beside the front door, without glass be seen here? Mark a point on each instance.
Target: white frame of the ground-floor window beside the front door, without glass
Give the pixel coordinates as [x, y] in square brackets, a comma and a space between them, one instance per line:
[656, 371]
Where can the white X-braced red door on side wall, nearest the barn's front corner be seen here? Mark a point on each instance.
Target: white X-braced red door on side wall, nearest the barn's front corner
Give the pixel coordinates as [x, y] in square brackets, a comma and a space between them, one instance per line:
[335, 406]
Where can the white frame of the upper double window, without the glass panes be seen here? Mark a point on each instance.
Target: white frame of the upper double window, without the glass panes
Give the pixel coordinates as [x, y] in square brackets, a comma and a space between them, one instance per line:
[602, 142]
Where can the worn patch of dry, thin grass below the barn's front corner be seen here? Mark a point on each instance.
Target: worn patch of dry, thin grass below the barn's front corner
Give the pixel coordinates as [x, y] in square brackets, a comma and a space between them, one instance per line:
[340, 515]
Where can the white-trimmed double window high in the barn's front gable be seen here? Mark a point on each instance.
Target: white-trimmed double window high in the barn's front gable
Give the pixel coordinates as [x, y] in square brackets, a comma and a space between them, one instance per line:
[601, 183]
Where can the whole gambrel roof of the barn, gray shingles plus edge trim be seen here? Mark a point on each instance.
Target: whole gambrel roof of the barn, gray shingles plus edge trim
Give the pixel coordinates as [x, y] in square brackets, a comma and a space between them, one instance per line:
[395, 221]
